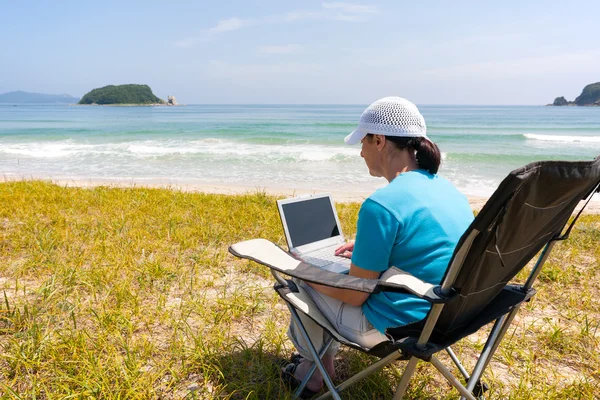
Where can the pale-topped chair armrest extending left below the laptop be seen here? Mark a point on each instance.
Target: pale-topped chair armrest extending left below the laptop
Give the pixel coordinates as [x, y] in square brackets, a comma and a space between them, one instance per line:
[269, 254]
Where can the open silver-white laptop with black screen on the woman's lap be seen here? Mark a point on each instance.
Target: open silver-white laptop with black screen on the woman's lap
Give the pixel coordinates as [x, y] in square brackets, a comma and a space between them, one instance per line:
[312, 230]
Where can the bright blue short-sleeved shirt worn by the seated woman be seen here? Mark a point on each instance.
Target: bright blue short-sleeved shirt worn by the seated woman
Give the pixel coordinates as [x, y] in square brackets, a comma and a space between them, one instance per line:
[414, 224]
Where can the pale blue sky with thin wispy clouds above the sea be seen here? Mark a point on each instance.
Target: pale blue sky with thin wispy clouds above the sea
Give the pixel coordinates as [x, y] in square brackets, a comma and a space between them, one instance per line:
[305, 52]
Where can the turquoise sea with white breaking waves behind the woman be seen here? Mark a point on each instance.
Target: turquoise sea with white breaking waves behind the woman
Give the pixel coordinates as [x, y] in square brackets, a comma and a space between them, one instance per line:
[276, 146]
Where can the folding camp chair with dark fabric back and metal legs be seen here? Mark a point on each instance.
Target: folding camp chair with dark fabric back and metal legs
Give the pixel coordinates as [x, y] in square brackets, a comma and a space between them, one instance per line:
[527, 213]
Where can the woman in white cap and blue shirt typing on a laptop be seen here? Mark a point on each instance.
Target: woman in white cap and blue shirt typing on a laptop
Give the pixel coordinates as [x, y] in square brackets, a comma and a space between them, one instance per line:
[413, 223]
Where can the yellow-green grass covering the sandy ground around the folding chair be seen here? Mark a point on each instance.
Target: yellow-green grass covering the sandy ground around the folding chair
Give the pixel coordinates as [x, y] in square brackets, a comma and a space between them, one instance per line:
[130, 293]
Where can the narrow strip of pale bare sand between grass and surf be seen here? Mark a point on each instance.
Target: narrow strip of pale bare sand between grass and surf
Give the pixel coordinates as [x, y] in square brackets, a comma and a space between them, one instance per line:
[476, 202]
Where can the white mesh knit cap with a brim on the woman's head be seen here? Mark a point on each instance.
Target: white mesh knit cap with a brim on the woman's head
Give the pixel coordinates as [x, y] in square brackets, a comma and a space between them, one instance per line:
[390, 116]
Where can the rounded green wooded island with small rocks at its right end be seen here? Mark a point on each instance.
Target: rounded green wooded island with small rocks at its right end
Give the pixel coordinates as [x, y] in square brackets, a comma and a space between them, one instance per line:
[125, 95]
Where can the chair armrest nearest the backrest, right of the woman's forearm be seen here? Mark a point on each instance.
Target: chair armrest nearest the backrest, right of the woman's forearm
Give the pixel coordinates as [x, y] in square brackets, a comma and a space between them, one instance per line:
[396, 280]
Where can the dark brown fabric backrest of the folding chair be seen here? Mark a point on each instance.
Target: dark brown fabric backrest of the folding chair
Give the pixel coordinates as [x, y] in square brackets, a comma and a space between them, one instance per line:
[530, 208]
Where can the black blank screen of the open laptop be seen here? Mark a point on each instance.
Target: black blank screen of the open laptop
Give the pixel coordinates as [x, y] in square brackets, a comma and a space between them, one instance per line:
[310, 220]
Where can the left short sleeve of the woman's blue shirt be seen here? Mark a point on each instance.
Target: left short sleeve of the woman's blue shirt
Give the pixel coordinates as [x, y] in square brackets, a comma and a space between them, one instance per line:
[376, 232]
